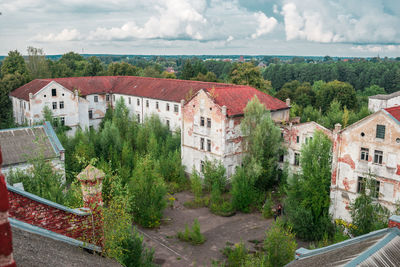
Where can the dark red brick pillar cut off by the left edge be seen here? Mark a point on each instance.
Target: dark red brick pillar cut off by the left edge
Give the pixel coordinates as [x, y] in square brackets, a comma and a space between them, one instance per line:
[6, 256]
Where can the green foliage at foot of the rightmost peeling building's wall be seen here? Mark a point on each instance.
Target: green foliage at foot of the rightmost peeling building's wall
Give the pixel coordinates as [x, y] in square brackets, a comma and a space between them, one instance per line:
[368, 215]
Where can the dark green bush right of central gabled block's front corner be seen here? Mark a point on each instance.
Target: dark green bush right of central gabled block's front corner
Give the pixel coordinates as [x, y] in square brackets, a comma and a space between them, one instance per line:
[243, 191]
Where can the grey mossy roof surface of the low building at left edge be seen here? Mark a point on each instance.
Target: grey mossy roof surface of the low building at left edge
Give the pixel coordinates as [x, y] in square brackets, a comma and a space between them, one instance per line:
[21, 145]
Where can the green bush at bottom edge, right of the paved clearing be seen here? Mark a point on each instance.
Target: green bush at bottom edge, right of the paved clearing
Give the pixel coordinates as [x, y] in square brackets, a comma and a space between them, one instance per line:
[279, 245]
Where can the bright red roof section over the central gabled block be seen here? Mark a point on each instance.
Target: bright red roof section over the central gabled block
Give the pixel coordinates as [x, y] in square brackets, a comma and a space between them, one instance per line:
[236, 99]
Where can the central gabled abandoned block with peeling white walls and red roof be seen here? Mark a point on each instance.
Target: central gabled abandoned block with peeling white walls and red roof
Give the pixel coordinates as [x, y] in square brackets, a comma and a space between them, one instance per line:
[211, 125]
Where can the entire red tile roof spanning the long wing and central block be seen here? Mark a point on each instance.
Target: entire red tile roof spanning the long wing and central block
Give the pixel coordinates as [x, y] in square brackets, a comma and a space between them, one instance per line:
[234, 97]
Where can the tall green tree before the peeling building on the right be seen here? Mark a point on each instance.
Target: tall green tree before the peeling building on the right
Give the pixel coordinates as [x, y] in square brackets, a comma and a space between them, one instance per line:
[307, 203]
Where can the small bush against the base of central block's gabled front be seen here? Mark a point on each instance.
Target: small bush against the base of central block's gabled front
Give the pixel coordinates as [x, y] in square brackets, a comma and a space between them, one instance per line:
[214, 174]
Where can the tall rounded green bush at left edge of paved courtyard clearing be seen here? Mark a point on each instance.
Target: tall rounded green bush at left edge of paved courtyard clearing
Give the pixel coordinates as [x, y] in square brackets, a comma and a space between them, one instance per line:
[148, 193]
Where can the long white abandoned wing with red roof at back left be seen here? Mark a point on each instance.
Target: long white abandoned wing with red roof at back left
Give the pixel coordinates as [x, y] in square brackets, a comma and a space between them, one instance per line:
[83, 101]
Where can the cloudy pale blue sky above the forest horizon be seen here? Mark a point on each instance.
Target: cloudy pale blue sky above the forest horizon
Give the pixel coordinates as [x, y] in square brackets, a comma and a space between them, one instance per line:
[359, 28]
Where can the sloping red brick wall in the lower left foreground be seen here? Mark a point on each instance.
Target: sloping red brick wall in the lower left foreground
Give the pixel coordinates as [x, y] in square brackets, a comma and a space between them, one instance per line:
[56, 220]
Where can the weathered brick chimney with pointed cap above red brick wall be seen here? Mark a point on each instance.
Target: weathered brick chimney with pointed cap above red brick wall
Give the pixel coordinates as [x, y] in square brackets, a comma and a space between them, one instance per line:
[91, 180]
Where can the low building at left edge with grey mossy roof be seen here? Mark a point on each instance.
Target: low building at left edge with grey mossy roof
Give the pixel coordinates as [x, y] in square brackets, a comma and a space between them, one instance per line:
[21, 145]
